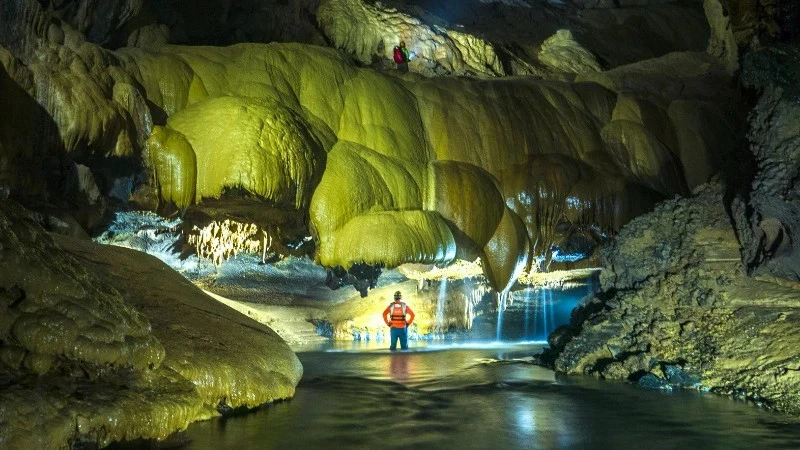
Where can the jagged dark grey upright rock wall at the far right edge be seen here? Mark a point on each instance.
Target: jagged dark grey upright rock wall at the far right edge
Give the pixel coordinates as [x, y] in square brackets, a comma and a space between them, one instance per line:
[768, 222]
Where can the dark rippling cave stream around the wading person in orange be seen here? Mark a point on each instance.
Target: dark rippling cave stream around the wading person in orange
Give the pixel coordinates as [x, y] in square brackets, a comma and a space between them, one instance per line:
[482, 396]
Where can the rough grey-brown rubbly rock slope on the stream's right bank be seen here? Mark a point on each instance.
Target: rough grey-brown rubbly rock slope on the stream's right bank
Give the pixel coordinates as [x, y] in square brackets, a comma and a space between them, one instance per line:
[677, 310]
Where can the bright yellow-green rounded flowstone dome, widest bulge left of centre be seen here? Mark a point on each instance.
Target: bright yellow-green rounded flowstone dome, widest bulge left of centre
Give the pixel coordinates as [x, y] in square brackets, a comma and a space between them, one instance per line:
[259, 146]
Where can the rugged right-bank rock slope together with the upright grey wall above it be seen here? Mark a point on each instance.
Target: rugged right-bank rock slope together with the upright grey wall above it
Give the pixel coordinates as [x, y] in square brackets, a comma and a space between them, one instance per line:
[689, 300]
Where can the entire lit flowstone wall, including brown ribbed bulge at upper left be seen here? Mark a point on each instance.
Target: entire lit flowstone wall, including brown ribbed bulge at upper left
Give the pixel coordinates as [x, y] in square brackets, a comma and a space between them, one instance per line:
[390, 171]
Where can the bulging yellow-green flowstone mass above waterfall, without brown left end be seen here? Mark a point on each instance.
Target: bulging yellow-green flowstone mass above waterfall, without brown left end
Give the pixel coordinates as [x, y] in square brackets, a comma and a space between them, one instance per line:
[400, 175]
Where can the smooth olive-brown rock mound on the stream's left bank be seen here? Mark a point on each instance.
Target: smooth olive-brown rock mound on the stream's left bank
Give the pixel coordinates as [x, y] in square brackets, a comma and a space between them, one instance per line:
[100, 344]
